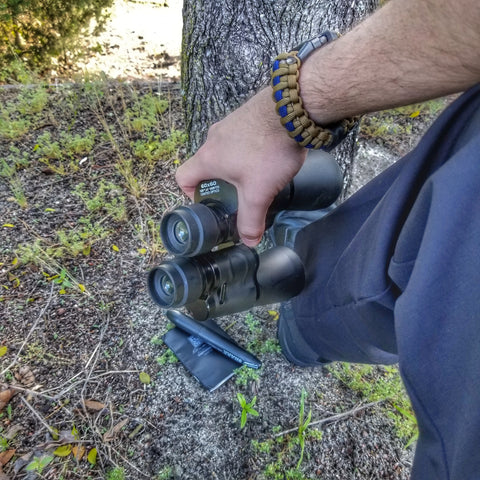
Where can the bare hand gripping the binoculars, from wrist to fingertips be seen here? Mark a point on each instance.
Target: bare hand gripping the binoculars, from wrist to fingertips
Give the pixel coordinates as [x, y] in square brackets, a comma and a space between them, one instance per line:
[251, 150]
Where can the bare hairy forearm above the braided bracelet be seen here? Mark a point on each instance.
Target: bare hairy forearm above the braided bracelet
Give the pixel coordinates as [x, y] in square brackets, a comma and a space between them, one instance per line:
[408, 51]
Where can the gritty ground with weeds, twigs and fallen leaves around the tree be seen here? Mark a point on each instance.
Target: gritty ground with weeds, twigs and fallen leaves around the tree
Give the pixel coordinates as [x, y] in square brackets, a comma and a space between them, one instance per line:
[86, 173]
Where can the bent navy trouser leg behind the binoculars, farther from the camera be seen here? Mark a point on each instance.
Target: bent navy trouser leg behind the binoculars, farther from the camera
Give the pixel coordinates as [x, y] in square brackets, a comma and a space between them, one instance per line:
[349, 299]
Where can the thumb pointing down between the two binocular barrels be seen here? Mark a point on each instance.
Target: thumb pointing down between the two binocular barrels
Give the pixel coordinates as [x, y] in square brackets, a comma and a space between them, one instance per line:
[251, 219]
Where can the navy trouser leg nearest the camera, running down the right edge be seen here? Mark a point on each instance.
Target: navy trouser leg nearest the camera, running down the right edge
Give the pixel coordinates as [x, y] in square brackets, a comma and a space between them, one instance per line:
[436, 264]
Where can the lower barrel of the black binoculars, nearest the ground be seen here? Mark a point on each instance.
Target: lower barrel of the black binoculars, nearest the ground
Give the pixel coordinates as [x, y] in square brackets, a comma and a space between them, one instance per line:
[227, 281]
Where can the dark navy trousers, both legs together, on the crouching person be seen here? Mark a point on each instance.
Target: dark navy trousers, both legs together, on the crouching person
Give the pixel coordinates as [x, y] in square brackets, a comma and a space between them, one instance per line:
[394, 276]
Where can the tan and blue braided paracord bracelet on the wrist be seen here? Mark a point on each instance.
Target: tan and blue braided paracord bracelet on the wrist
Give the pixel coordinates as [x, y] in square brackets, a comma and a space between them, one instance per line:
[289, 105]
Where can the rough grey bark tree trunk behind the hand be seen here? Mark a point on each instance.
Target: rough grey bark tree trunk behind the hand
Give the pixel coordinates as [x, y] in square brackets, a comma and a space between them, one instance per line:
[228, 48]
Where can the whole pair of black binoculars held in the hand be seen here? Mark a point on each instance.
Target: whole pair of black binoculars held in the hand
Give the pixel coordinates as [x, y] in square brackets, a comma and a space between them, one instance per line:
[211, 274]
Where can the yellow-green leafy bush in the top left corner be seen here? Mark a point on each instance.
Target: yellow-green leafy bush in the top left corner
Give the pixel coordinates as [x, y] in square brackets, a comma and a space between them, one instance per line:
[35, 31]
